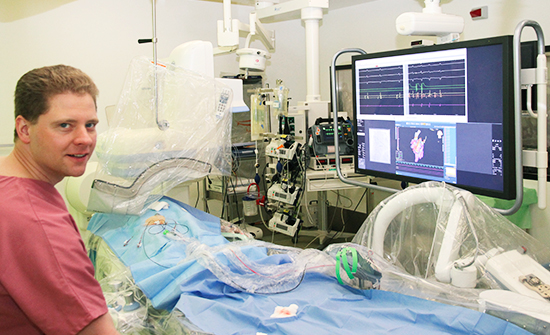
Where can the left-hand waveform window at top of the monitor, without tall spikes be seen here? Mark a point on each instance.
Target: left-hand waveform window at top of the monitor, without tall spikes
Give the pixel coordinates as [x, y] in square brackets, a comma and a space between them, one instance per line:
[381, 90]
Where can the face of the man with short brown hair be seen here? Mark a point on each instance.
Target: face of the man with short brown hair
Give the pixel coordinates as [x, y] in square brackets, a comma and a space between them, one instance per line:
[63, 139]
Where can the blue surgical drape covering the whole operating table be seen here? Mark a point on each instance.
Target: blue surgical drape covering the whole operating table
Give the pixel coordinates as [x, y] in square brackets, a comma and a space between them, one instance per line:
[169, 278]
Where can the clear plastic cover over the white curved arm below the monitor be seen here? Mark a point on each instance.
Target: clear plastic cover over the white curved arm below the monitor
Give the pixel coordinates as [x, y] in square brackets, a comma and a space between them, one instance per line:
[431, 234]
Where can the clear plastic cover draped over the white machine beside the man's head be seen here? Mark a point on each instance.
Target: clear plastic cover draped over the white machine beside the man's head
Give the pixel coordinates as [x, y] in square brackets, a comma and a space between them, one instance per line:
[171, 125]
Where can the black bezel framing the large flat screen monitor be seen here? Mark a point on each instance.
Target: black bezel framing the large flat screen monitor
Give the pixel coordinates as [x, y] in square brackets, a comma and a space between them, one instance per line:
[509, 170]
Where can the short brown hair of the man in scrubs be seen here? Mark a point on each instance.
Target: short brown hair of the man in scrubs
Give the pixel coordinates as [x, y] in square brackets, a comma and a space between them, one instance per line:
[35, 88]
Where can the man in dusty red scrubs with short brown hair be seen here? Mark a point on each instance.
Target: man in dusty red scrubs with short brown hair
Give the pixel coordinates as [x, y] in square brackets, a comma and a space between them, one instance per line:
[47, 283]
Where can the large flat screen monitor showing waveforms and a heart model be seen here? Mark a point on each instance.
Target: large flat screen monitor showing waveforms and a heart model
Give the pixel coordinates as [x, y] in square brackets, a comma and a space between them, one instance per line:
[443, 113]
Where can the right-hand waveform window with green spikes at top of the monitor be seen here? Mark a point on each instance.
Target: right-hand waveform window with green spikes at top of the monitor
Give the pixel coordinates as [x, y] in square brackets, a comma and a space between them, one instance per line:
[437, 88]
